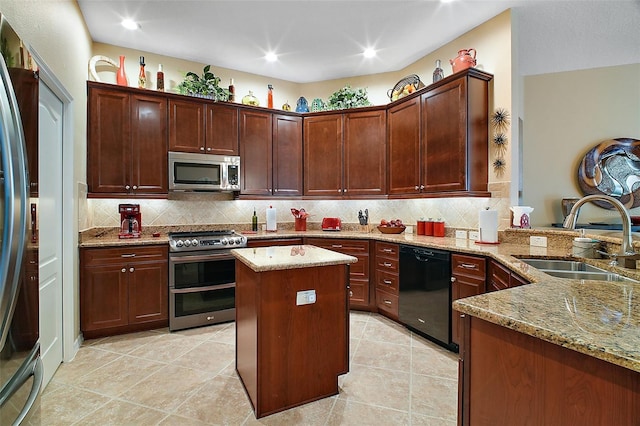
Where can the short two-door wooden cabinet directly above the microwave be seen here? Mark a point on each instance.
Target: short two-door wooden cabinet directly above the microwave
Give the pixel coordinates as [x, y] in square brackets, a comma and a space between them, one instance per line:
[202, 127]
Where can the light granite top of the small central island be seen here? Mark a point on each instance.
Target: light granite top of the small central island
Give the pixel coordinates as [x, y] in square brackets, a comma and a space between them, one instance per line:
[261, 259]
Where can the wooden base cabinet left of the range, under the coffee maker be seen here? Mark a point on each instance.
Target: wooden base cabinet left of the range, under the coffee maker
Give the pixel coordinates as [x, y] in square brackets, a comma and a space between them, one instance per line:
[123, 290]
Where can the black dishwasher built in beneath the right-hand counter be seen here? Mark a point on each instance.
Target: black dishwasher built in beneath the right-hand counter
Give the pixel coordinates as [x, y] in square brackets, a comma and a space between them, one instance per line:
[425, 293]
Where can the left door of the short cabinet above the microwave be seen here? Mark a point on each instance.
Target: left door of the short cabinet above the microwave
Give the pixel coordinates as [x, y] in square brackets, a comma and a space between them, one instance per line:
[186, 125]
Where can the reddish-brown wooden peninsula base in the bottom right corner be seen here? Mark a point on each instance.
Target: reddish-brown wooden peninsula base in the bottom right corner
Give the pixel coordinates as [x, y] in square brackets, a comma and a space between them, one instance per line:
[508, 378]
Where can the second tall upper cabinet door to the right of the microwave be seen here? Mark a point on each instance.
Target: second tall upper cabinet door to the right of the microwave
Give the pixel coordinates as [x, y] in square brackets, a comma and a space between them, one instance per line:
[287, 155]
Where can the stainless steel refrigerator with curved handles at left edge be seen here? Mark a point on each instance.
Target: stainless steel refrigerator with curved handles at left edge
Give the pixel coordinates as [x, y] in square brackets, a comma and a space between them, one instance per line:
[21, 369]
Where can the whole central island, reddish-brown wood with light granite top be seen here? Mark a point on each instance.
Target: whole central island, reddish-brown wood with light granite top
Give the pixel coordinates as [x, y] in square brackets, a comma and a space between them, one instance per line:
[292, 324]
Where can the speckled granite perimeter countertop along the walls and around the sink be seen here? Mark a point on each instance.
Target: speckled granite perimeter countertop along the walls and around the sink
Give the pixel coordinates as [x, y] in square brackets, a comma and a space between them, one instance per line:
[598, 318]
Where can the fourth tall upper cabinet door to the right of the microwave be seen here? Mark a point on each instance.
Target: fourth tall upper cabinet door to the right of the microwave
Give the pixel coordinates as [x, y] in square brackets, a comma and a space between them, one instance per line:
[365, 153]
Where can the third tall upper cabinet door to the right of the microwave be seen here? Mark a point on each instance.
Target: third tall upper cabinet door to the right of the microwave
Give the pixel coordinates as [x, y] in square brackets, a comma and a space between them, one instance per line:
[323, 155]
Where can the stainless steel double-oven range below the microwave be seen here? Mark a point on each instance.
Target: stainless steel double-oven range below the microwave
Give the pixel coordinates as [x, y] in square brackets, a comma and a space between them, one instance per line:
[202, 280]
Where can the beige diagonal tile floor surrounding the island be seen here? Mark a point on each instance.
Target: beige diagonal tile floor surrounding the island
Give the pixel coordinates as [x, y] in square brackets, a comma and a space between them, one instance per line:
[188, 378]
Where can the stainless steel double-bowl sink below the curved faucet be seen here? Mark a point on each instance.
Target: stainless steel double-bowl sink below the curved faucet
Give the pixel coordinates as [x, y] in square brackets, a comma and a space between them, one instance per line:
[575, 270]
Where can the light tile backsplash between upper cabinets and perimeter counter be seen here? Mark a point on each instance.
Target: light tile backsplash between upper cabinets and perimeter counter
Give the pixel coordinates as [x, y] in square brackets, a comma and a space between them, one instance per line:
[220, 208]
